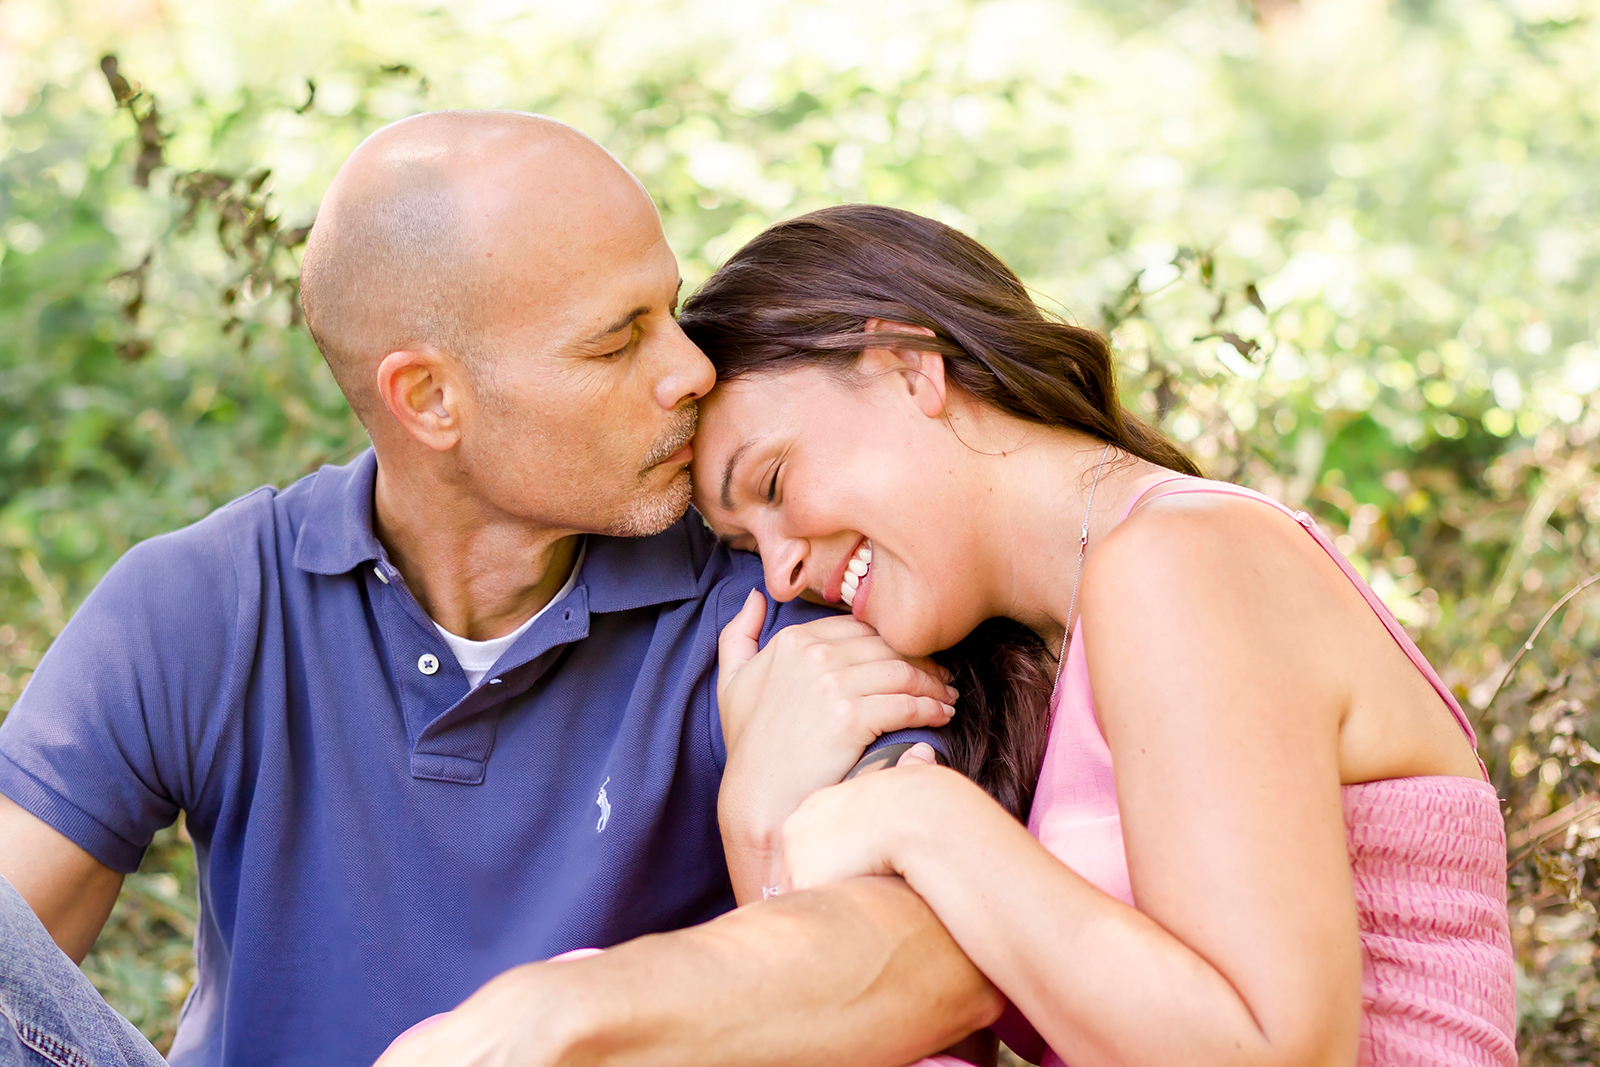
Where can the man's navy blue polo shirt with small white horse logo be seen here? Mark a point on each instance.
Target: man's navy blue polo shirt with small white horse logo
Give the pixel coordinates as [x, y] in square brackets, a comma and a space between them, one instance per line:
[375, 841]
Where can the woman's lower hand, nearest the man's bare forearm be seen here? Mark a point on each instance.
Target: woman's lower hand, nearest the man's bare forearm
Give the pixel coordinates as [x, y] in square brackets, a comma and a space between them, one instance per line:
[881, 825]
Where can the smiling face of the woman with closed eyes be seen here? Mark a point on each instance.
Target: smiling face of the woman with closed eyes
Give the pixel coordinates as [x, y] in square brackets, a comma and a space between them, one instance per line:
[852, 494]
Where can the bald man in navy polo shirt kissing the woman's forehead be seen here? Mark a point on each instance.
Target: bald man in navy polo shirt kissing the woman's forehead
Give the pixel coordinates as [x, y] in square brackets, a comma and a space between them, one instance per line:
[449, 709]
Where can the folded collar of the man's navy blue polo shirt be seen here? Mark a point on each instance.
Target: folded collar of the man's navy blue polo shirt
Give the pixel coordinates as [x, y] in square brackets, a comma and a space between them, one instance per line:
[620, 573]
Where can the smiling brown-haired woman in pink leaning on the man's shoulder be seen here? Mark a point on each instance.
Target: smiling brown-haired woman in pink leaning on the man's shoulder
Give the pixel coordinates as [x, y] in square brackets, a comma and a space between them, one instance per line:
[1260, 834]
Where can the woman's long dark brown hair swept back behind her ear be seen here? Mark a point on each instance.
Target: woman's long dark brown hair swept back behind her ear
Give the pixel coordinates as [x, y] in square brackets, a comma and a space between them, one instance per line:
[801, 295]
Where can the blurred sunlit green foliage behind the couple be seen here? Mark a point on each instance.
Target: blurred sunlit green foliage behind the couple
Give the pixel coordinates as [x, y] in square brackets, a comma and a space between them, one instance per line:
[1350, 255]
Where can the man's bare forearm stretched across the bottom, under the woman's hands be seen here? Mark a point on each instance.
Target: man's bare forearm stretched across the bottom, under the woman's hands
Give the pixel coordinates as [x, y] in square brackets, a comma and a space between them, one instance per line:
[852, 975]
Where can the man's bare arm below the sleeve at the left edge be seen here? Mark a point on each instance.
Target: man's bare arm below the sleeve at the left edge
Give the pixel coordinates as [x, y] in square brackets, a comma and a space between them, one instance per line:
[70, 890]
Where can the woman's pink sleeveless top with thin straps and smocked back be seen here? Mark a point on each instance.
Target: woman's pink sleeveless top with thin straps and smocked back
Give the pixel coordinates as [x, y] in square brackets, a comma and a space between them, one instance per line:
[1428, 857]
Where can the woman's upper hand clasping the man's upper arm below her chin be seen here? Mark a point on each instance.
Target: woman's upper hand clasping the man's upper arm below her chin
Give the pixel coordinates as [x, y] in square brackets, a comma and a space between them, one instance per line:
[796, 717]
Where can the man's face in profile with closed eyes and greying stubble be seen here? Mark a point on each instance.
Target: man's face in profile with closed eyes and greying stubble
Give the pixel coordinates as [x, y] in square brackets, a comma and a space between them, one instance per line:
[586, 402]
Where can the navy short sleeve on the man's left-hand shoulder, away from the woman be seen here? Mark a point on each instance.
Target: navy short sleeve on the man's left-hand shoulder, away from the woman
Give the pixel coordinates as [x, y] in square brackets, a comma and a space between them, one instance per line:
[114, 733]
